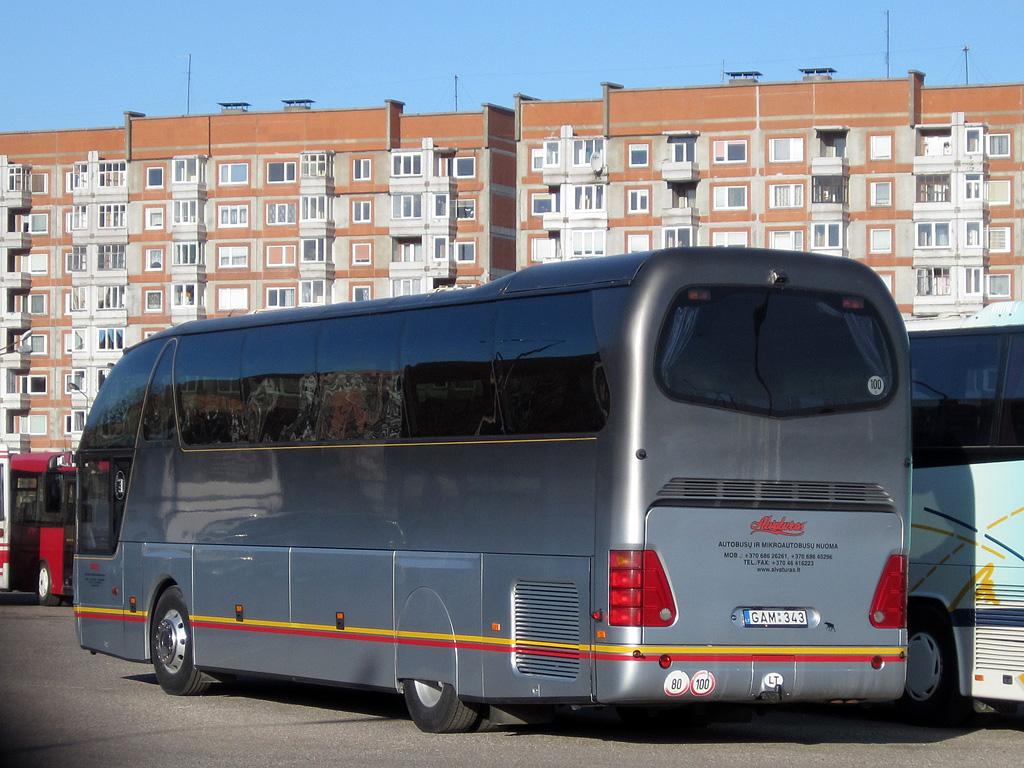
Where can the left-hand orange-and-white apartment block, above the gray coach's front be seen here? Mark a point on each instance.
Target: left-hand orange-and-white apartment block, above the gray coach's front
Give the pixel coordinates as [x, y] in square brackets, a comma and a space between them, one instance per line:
[112, 235]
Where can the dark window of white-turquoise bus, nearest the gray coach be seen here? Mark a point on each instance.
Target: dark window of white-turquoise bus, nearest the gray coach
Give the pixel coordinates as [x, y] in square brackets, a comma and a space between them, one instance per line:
[956, 382]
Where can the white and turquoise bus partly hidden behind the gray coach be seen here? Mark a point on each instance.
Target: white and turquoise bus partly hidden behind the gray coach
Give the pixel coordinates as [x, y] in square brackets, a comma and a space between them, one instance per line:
[967, 562]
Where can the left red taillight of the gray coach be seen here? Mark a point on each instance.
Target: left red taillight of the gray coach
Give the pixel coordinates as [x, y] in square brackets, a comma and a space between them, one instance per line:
[638, 590]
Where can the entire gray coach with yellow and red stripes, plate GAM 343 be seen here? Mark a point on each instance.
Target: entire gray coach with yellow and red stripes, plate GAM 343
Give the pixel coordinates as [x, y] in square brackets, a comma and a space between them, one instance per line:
[655, 482]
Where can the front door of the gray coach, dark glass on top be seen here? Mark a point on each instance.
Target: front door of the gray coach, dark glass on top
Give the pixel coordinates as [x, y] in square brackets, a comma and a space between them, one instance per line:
[99, 587]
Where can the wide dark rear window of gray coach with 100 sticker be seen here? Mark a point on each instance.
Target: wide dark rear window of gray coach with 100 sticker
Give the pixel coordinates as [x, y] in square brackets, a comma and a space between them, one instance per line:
[775, 352]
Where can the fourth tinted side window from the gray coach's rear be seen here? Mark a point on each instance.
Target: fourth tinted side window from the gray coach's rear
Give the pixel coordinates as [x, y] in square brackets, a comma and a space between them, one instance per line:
[280, 383]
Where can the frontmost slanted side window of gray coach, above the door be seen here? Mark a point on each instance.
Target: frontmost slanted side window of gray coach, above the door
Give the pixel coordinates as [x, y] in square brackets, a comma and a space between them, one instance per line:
[115, 416]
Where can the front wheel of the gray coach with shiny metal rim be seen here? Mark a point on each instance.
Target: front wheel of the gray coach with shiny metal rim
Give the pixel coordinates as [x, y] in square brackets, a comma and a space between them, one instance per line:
[172, 648]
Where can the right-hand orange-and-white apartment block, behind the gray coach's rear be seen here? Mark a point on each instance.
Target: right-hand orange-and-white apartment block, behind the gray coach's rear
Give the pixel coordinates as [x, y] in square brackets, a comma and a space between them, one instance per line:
[924, 185]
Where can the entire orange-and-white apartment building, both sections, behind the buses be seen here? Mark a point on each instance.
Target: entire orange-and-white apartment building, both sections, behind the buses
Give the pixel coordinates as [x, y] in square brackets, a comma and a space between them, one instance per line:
[109, 235]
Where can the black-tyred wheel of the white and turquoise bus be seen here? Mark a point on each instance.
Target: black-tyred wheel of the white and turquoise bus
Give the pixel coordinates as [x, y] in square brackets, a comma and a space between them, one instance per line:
[932, 694]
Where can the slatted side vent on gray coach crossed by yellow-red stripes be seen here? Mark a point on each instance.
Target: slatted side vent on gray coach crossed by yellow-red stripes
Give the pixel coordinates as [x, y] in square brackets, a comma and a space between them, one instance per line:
[547, 630]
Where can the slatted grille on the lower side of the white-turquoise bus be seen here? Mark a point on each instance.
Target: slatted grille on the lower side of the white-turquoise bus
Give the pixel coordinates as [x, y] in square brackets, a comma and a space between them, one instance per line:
[1000, 628]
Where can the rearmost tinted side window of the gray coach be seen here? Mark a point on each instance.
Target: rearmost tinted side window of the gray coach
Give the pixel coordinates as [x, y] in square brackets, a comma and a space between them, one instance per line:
[547, 366]
